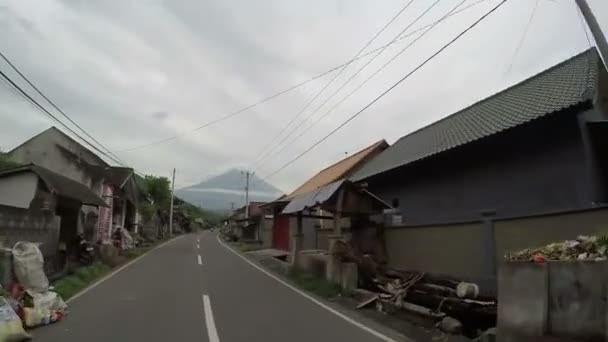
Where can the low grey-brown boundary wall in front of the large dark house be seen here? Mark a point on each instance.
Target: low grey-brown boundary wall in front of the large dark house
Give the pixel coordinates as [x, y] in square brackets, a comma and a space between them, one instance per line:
[474, 251]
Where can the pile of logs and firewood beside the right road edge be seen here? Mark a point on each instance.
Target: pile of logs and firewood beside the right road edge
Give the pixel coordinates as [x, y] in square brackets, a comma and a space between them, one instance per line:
[455, 306]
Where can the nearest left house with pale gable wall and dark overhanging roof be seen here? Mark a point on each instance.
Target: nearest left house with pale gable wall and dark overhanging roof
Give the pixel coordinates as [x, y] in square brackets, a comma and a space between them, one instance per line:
[37, 204]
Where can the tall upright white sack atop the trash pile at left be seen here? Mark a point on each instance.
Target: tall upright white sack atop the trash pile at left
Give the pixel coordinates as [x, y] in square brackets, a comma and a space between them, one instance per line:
[29, 267]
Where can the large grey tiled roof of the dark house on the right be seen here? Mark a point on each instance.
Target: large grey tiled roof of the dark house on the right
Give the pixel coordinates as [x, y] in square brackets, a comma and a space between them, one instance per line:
[567, 84]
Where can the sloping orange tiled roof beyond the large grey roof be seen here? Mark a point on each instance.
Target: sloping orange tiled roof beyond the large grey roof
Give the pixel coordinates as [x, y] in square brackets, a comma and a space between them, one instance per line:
[339, 170]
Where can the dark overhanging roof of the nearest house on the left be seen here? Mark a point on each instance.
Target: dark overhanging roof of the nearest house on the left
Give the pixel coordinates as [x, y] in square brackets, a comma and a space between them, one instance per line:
[60, 185]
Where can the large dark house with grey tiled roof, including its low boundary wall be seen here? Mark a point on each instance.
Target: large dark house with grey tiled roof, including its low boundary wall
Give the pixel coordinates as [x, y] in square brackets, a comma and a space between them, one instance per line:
[524, 167]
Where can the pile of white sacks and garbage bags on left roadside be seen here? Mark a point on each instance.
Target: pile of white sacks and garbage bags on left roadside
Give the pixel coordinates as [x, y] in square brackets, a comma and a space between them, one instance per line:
[28, 302]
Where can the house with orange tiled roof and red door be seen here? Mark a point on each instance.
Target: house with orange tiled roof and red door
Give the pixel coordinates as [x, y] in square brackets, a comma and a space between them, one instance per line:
[315, 230]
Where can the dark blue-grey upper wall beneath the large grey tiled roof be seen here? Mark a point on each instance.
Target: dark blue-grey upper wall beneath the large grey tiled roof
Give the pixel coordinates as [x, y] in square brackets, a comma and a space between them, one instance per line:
[529, 170]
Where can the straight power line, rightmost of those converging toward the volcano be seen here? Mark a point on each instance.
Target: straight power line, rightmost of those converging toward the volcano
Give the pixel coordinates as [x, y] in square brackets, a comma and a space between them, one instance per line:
[387, 90]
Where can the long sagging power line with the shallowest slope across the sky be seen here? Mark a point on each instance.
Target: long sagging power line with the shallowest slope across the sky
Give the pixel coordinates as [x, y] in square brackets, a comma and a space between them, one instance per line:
[293, 87]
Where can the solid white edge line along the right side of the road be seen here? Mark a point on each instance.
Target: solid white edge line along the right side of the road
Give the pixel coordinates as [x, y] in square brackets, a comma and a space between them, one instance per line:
[318, 300]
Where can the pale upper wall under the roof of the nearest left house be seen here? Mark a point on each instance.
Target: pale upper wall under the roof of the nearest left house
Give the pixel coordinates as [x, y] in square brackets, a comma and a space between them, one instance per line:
[18, 190]
